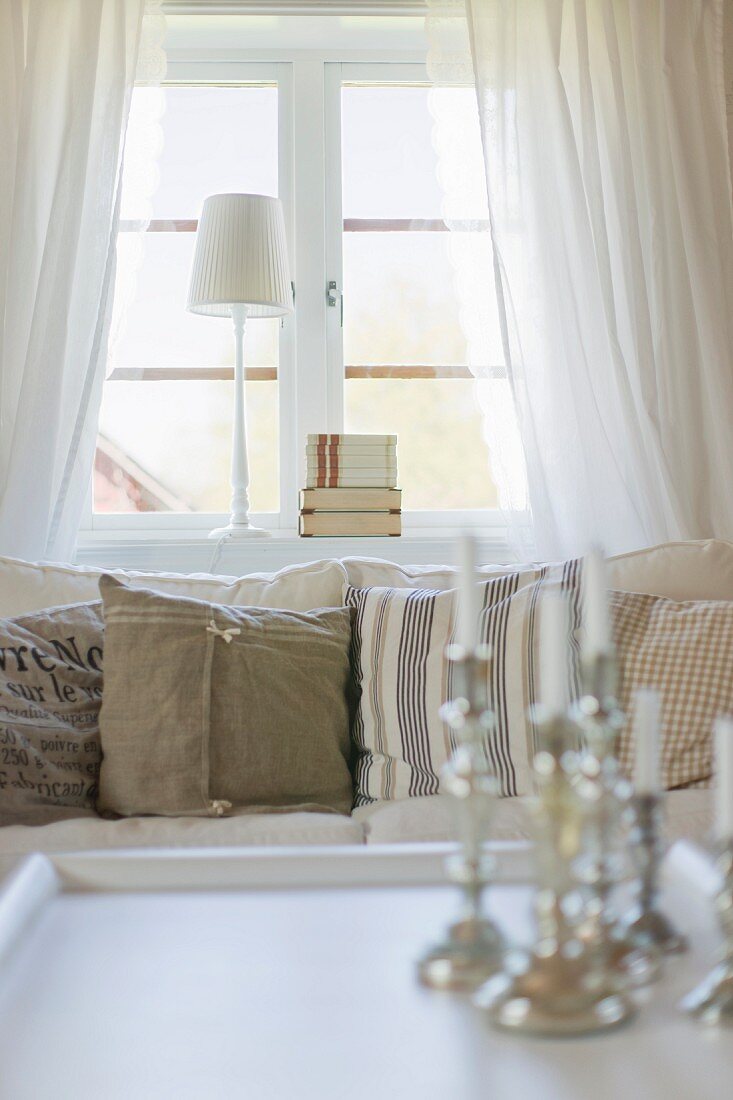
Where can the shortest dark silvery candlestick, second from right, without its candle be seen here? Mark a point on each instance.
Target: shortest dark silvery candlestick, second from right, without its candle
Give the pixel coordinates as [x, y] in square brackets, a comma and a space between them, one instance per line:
[647, 925]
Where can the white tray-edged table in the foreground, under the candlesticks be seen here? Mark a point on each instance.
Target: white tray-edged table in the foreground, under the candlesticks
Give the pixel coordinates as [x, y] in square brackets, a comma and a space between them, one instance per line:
[134, 976]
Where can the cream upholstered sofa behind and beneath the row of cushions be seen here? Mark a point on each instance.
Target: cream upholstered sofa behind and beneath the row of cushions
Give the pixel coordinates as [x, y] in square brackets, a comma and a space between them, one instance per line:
[702, 570]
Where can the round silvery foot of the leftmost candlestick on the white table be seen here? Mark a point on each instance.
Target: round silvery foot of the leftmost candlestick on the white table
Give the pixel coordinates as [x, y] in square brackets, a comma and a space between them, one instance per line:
[472, 953]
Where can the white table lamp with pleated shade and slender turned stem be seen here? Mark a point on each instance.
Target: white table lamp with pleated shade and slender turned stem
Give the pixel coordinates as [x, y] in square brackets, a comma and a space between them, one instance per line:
[240, 271]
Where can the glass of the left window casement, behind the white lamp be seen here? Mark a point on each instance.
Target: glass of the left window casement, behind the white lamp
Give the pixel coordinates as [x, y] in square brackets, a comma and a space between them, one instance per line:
[167, 446]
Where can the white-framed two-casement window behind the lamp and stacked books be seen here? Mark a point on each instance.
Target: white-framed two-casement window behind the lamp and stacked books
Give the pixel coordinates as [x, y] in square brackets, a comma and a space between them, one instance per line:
[348, 148]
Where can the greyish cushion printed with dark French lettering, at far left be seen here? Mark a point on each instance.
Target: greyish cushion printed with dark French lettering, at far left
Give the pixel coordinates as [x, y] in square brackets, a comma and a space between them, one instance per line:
[51, 684]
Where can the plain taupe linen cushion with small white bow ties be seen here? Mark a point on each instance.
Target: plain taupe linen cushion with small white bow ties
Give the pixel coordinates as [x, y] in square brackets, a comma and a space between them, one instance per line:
[211, 709]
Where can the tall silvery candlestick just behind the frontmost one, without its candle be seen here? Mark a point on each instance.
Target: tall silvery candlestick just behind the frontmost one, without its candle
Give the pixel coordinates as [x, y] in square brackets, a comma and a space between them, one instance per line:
[620, 939]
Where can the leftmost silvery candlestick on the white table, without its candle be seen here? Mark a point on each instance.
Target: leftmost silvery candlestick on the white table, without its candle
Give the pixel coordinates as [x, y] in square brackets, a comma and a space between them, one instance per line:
[474, 947]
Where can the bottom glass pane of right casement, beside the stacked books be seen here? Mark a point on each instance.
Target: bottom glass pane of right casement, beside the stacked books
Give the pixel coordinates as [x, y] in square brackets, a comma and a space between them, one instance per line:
[443, 458]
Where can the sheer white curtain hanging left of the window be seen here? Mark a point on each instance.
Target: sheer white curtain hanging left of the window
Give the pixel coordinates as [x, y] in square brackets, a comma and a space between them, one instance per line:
[67, 76]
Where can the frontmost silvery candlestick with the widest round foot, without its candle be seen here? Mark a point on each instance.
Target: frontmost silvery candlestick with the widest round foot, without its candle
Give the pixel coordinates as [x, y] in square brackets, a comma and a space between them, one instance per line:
[565, 985]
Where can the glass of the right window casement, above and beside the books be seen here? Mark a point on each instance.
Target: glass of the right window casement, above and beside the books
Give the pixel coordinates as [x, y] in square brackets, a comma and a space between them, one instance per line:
[400, 302]
